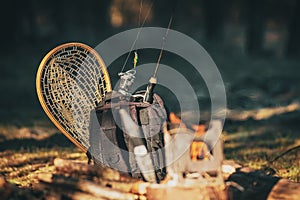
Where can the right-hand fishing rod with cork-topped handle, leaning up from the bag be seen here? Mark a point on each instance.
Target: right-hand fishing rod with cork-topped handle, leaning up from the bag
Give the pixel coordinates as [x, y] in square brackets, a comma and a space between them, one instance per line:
[148, 96]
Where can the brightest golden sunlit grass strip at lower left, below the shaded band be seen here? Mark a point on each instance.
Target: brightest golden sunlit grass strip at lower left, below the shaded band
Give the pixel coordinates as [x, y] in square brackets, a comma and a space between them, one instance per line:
[22, 167]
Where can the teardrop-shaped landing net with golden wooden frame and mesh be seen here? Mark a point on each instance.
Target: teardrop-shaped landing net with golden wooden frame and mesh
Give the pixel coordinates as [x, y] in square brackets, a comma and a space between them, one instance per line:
[71, 81]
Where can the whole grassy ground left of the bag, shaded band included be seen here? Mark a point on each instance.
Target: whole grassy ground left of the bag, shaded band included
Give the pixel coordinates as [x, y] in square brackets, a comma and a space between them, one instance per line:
[26, 152]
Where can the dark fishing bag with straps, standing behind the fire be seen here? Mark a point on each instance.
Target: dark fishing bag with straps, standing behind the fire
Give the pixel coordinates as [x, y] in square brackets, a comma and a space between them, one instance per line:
[111, 146]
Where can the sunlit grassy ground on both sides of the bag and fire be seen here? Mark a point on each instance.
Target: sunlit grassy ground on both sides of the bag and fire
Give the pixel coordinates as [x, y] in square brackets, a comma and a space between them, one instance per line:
[26, 152]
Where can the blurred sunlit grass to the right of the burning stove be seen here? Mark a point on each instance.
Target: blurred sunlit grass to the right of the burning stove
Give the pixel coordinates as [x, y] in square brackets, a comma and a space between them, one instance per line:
[256, 143]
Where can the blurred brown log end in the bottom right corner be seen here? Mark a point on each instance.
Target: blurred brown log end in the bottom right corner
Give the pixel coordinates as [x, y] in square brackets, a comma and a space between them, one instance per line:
[285, 190]
